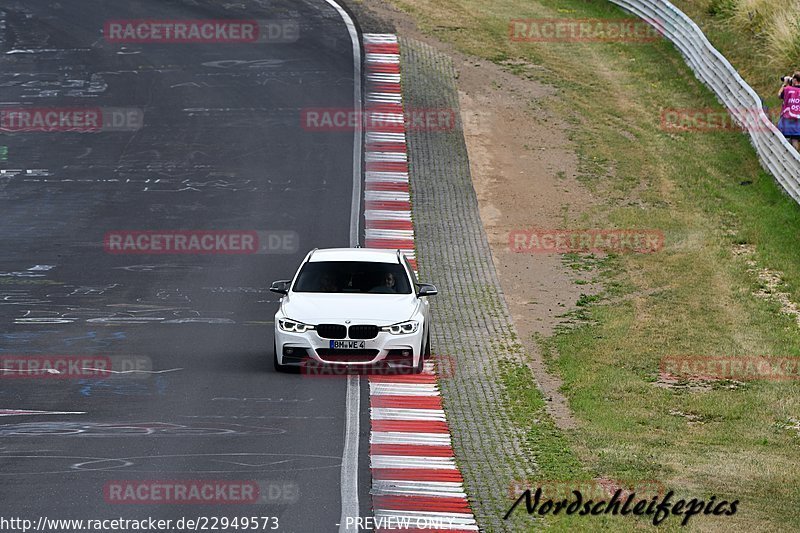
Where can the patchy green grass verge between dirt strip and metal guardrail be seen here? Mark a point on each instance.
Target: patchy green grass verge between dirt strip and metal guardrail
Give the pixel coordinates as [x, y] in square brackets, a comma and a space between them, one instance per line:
[707, 193]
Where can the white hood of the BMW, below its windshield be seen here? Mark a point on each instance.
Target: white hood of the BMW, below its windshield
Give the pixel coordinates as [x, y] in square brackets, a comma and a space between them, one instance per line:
[378, 309]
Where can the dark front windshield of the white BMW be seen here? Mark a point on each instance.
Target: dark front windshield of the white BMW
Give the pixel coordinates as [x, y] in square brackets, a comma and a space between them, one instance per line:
[353, 277]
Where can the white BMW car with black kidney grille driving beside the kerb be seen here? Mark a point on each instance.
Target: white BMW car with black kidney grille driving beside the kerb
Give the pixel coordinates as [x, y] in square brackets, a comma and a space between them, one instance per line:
[355, 307]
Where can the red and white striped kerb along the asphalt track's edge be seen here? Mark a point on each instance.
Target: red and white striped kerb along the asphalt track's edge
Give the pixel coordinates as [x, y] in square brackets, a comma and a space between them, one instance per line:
[415, 480]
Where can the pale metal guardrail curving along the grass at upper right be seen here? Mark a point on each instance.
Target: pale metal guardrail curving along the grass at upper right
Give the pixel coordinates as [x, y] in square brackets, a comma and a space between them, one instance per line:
[776, 154]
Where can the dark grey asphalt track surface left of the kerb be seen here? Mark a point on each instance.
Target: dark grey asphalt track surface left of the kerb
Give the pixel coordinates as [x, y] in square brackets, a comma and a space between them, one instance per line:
[221, 148]
